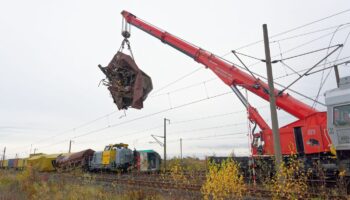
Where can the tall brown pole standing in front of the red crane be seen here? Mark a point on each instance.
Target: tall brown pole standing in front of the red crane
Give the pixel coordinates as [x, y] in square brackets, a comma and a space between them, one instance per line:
[275, 131]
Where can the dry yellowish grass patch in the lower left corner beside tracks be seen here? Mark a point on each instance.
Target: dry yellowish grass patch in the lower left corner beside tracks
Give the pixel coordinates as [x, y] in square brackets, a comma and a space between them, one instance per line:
[30, 185]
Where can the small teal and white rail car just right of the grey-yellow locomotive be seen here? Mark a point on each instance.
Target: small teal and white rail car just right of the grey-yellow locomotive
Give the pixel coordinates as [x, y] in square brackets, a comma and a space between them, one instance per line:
[147, 160]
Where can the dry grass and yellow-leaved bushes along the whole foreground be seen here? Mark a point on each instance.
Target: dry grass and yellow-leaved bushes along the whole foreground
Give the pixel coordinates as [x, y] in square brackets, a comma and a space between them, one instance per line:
[221, 181]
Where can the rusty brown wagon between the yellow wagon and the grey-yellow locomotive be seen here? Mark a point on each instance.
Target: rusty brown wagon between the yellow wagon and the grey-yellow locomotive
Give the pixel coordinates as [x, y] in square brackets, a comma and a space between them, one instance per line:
[75, 160]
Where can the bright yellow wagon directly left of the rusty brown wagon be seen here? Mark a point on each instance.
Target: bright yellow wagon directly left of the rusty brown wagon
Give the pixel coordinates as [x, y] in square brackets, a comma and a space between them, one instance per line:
[43, 163]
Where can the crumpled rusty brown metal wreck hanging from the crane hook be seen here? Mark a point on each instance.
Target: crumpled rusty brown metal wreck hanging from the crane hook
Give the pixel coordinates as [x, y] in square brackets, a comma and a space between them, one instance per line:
[129, 86]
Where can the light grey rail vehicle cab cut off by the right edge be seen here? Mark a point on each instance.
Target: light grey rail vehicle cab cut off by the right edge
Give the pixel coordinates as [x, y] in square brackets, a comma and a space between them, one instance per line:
[338, 122]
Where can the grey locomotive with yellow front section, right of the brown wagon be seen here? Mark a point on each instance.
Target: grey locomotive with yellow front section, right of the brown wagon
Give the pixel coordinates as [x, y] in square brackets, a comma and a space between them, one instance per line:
[114, 157]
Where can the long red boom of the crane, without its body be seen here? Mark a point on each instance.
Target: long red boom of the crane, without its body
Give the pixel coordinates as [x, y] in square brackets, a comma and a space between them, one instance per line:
[228, 73]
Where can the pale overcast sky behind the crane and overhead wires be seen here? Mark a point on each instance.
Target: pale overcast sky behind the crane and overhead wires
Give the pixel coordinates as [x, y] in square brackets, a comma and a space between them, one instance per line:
[49, 52]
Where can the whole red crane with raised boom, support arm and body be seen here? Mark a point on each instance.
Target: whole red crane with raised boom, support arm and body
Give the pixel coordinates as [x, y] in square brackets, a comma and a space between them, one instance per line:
[306, 136]
